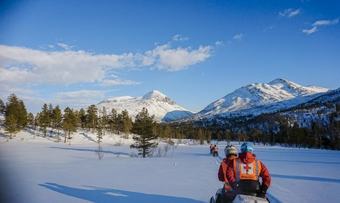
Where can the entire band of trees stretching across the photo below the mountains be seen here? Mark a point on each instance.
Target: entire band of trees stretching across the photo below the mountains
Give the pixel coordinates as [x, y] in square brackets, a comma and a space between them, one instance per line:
[266, 129]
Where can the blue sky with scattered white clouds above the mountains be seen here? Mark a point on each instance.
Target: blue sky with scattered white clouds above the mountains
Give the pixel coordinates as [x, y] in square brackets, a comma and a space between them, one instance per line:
[79, 52]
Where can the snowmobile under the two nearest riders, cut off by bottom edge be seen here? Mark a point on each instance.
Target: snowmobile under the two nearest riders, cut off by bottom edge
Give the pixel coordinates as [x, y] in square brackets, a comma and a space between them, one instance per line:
[239, 198]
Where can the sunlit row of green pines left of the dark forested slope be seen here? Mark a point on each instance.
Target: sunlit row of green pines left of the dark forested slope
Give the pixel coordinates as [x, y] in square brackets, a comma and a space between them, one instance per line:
[53, 120]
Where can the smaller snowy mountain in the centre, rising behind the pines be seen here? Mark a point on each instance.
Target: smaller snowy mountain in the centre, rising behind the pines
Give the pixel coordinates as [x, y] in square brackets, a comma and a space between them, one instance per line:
[157, 103]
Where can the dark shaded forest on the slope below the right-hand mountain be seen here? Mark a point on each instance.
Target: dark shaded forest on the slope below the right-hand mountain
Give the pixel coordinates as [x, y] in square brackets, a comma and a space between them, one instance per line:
[278, 129]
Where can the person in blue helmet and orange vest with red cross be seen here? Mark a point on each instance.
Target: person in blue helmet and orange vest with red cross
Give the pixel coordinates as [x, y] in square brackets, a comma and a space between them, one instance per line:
[245, 172]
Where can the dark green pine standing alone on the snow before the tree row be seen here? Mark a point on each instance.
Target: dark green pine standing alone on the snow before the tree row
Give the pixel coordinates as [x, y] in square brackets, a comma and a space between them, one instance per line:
[143, 127]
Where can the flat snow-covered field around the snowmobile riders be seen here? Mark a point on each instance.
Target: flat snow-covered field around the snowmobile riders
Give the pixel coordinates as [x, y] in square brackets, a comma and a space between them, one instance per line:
[41, 170]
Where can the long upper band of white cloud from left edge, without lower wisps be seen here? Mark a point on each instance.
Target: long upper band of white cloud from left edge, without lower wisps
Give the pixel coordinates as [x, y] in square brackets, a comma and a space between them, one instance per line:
[24, 65]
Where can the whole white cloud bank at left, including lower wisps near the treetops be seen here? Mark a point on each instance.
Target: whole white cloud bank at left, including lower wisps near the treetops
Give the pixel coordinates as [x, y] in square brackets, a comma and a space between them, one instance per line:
[24, 69]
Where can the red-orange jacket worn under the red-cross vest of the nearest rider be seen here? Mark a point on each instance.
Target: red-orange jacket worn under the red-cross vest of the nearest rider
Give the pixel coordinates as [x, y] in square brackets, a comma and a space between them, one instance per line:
[249, 158]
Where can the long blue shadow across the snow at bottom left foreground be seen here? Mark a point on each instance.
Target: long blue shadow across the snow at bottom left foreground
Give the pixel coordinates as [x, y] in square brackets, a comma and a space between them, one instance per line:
[95, 194]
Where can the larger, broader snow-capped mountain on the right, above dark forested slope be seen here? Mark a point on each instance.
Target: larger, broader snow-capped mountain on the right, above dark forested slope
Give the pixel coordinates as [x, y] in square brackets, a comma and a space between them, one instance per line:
[258, 98]
